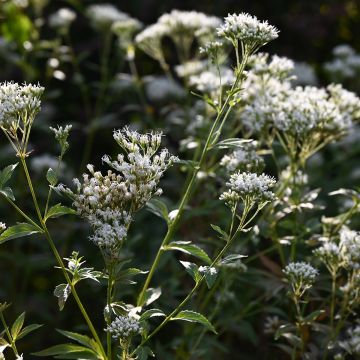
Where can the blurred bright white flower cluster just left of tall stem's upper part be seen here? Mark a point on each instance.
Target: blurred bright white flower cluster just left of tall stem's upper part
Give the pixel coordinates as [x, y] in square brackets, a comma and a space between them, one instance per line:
[211, 81]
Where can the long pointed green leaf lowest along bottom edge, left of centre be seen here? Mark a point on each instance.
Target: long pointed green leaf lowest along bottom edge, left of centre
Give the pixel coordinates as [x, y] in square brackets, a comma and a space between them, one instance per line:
[68, 351]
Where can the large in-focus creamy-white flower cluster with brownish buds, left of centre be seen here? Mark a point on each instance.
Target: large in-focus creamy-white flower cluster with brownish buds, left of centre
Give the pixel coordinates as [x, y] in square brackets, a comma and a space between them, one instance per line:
[108, 201]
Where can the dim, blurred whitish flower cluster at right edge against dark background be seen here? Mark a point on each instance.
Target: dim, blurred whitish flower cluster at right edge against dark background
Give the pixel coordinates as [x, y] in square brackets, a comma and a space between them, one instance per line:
[345, 65]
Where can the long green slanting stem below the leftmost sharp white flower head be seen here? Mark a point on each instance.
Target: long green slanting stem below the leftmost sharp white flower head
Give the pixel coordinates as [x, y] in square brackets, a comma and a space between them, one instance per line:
[59, 259]
